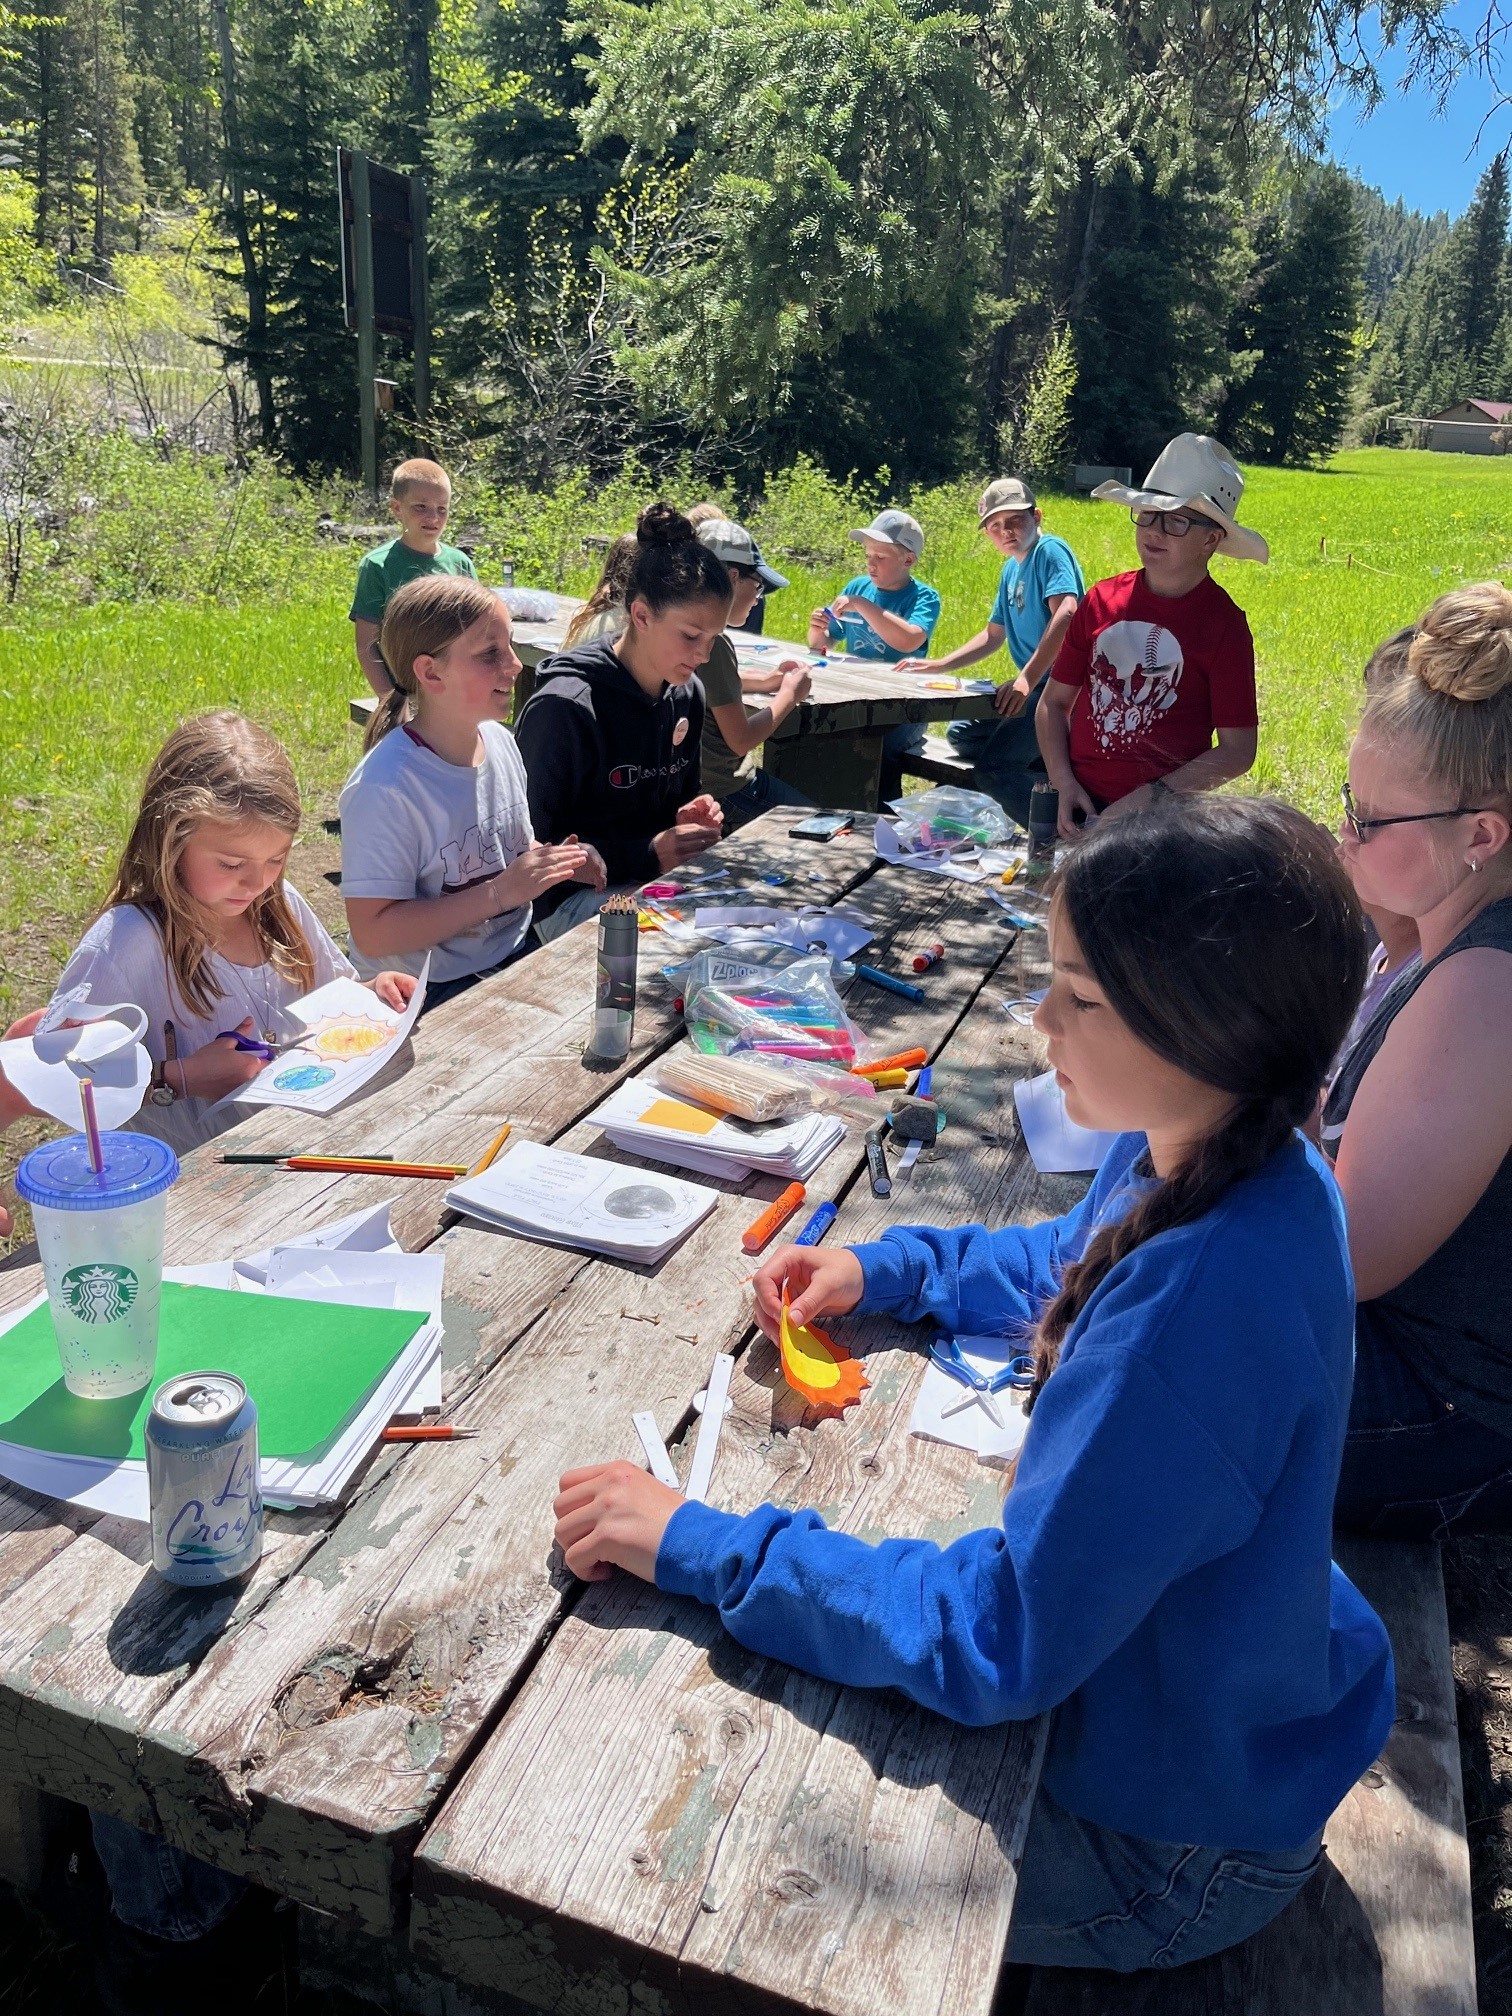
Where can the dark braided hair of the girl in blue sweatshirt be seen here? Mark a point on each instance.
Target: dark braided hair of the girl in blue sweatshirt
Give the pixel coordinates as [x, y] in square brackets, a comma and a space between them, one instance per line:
[1229, 938]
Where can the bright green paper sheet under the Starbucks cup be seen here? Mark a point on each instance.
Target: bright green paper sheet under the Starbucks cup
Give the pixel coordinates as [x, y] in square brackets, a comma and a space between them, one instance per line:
[307, 1366]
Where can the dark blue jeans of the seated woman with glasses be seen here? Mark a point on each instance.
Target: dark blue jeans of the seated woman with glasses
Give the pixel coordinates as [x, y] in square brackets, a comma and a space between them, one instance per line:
[1416, 1469]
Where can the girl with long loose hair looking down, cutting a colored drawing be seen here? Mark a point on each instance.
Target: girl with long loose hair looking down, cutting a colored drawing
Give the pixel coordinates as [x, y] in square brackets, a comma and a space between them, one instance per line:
[201, 928]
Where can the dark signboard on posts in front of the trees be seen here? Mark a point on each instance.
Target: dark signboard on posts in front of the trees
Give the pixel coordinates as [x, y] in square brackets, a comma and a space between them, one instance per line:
[384, 285]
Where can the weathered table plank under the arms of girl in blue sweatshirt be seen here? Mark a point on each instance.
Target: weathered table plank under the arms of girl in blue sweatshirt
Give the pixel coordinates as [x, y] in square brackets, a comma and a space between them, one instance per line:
[733, 1830]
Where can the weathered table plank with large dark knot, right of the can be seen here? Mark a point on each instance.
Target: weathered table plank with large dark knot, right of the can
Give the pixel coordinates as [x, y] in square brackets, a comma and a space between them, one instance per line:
[318, 1731]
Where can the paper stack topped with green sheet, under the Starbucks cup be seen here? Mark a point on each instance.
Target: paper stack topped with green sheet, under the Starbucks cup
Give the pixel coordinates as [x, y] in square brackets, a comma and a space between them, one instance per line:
[354, 1342]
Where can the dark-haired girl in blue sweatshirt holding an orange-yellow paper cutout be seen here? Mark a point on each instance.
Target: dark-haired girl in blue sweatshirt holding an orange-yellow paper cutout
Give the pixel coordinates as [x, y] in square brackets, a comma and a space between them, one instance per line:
[1162, 1578]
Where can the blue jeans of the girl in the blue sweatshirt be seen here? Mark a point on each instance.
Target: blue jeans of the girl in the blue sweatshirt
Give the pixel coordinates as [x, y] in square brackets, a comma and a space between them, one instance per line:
[1092, 1898]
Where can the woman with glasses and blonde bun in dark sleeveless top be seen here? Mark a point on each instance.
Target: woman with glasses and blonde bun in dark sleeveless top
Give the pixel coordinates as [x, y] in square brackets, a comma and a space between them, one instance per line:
[1420, 1114]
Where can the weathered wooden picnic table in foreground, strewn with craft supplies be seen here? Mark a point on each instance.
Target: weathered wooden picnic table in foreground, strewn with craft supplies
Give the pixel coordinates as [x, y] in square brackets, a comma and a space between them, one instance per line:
[640, 1787]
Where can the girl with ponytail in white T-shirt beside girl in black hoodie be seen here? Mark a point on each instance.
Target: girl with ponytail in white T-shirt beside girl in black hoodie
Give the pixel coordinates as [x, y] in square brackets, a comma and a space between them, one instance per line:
[436, 844]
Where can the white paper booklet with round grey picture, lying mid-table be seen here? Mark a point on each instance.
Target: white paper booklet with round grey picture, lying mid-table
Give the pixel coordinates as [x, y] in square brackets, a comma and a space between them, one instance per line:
[574, 1201]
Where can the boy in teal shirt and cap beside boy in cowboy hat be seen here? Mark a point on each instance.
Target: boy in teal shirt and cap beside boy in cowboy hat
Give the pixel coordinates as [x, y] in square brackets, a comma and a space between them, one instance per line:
[1039, 590]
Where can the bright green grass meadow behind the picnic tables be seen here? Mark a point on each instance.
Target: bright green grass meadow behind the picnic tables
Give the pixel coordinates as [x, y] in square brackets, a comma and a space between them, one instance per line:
[86, 699]
